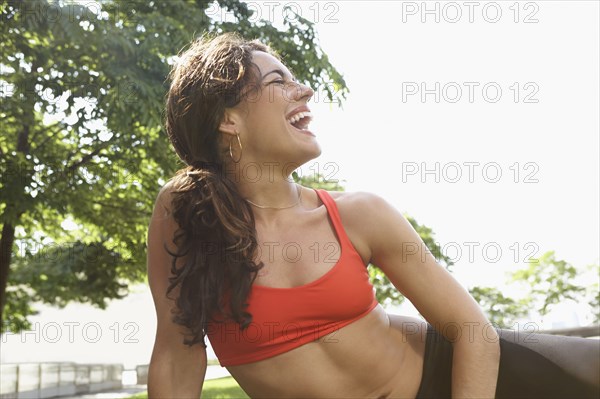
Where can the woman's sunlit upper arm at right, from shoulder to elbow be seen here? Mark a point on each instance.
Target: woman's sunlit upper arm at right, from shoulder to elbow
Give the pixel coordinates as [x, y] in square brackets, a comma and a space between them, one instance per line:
[398, 250]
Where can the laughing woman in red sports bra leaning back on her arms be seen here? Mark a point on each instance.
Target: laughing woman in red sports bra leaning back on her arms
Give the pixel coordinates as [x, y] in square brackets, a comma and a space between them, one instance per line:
[275, 273]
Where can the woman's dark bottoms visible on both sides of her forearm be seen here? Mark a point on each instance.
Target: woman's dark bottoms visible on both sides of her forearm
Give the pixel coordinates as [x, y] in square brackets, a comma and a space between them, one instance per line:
[523, 373]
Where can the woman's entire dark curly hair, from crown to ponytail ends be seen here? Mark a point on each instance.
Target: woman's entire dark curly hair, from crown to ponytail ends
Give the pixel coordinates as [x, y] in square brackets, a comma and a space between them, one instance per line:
[216, 234]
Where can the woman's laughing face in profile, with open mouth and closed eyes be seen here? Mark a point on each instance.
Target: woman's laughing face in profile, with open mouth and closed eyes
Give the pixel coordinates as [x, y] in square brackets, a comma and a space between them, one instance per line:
[274, 120]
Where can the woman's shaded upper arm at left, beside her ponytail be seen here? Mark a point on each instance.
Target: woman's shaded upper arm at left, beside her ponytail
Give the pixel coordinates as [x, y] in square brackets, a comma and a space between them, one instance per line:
[169, 347]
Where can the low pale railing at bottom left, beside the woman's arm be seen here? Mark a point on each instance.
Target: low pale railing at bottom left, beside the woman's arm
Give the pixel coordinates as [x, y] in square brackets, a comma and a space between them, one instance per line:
[45, 380]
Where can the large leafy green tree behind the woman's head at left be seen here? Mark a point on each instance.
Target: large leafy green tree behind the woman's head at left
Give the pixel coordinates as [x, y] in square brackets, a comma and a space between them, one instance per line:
[83, 150]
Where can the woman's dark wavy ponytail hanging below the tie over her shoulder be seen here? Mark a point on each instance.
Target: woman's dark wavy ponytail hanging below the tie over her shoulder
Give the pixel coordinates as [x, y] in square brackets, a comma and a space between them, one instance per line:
[217, 241]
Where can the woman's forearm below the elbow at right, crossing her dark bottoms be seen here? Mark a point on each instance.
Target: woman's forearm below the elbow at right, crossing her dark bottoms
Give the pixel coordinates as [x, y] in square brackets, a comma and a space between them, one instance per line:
[475, 365]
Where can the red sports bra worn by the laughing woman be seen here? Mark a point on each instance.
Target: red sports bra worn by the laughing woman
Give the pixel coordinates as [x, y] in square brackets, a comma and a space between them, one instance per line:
[286, 318]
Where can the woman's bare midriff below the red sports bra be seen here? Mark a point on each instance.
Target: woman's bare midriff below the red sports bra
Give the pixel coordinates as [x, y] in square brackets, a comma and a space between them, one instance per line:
[377, 356]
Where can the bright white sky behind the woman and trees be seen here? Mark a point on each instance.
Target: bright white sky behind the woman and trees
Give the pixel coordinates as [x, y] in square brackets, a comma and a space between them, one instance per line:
[514, 137]
